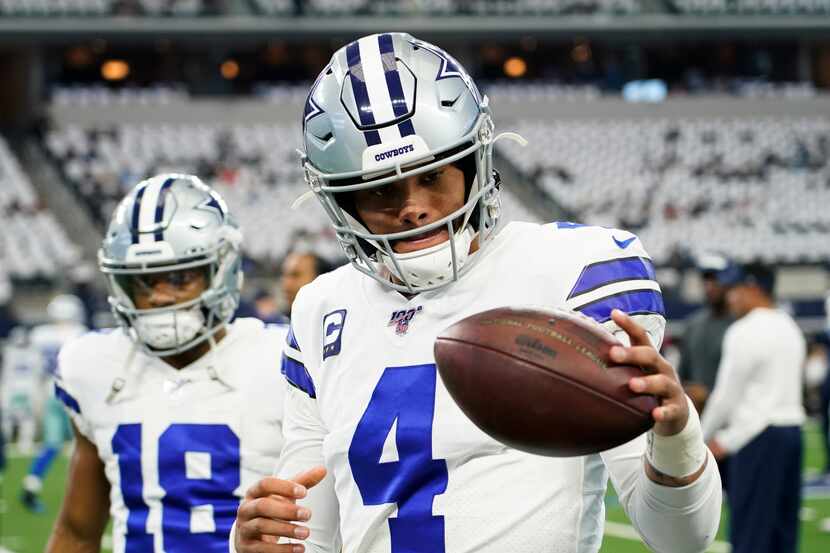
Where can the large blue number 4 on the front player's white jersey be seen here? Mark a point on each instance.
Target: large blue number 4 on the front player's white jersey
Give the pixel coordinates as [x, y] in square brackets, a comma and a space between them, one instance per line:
[405, 395]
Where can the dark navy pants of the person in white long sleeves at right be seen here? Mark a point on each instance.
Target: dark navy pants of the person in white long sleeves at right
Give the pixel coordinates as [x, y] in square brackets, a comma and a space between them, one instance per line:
[765, 492]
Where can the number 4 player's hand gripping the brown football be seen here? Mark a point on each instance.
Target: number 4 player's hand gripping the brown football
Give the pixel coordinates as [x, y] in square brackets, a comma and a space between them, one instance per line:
[661, 381]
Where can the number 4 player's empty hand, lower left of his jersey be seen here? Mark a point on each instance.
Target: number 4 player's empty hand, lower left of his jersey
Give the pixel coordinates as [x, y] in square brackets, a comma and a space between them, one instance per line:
[269, 512]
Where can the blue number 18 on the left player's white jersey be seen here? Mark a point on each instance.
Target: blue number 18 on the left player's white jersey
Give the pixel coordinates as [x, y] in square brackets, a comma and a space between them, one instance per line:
[213, 493]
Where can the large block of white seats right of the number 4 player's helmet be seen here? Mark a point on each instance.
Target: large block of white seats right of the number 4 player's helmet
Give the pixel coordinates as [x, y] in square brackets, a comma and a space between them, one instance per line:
[753, 188]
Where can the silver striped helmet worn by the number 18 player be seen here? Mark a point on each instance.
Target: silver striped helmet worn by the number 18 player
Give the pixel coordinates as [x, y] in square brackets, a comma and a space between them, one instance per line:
[173, 222]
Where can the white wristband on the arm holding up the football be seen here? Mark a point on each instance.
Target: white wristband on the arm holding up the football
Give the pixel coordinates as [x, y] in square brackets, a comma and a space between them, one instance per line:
[679, 455]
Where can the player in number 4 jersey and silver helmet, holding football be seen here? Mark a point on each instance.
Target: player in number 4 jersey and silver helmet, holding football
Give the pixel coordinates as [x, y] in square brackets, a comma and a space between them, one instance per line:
[399, 147]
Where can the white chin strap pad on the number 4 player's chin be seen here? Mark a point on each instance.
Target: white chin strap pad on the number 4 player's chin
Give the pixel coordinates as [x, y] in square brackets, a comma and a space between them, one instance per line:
[433, 265]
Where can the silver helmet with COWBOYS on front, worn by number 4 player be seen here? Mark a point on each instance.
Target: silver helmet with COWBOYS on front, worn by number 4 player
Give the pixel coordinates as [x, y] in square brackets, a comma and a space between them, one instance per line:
[386, 107]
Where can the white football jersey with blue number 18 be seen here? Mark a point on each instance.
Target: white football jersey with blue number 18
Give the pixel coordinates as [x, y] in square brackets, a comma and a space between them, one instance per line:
[180, 447]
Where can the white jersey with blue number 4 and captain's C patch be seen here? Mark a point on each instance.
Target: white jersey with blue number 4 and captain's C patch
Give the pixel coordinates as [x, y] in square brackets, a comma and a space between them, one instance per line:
[408, 471]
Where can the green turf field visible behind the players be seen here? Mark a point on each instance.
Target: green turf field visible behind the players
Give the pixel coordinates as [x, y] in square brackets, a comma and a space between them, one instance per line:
[22, 532]
